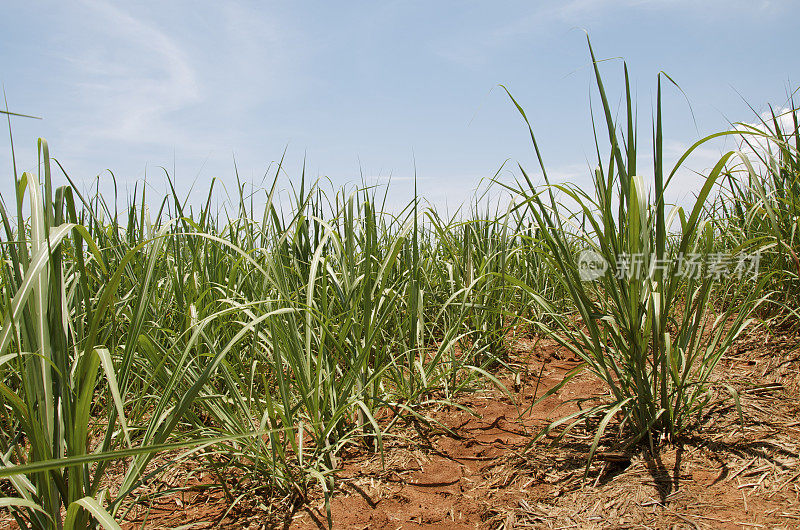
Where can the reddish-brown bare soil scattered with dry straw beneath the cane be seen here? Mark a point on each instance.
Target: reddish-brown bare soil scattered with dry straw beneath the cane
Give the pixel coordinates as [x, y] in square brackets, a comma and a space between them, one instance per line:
[473, 470]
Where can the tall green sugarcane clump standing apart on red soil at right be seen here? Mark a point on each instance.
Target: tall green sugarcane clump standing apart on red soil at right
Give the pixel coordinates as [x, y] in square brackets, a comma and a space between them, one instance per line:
[641, 285]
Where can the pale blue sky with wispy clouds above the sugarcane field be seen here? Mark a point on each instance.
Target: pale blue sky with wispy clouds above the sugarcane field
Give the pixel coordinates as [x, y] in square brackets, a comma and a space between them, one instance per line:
[371, 88]
